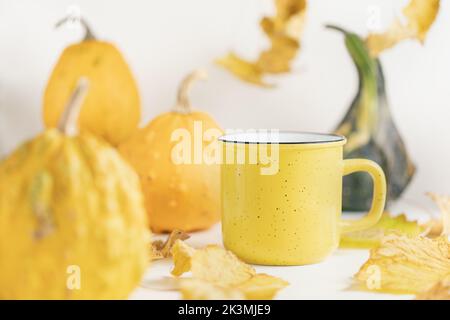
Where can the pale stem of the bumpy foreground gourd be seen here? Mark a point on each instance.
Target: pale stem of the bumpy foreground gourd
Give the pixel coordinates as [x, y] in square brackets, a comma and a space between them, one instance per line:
[68, 121]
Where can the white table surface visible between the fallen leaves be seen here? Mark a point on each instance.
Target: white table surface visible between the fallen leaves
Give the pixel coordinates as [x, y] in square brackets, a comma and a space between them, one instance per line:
[331, 279]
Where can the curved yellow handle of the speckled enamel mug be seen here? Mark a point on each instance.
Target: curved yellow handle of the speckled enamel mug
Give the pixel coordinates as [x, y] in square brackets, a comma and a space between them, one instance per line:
[379, 194]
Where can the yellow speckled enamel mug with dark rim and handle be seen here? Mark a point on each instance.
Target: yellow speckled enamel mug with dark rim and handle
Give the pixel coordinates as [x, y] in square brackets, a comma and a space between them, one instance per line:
[282, 195]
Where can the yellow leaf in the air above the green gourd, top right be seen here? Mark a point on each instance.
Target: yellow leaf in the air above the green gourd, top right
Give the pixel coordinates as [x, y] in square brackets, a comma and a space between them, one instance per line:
[420, 15]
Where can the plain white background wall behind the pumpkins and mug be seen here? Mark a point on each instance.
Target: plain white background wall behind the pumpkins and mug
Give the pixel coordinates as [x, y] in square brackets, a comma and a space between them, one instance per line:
[163, 40]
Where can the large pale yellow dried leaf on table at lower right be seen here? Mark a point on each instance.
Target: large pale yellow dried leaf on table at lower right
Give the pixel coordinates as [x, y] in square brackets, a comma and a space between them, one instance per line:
[403, 264]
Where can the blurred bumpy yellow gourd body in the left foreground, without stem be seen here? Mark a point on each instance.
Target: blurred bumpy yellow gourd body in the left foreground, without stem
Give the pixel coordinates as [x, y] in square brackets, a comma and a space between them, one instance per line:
[70, 201]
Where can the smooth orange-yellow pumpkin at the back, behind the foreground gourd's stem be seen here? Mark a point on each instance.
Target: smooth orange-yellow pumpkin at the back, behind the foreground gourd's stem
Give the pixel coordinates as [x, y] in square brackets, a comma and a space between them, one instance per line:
[112, 107]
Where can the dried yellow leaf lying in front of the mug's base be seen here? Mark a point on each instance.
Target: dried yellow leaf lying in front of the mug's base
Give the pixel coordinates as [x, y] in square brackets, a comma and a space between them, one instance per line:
[217, 273]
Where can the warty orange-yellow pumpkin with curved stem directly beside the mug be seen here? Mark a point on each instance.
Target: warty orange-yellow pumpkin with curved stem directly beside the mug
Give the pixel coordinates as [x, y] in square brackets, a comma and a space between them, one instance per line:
[177, 196]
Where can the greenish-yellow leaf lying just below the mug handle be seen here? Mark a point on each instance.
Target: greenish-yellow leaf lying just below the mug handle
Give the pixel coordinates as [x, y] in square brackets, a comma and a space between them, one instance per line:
[388, 224]
